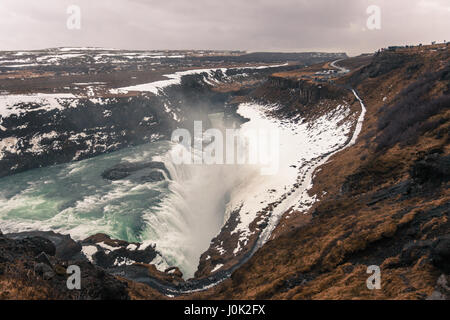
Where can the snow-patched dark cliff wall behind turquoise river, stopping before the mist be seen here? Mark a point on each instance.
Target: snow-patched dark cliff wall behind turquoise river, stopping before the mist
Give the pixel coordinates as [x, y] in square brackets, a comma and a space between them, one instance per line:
[79, 129]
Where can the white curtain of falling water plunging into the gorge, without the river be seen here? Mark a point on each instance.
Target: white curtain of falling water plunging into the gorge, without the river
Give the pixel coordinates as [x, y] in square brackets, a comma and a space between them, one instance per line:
[192, 214]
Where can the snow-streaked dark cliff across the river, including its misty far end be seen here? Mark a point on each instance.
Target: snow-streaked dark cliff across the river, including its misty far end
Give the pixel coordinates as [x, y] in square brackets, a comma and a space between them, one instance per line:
[44, 129]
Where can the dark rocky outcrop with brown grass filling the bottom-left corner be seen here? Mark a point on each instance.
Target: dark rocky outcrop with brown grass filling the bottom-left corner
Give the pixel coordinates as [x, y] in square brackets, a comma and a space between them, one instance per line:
[30, 269]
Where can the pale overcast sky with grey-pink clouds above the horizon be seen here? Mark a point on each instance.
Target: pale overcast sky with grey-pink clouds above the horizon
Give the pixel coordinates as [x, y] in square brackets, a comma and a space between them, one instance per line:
[255, 25]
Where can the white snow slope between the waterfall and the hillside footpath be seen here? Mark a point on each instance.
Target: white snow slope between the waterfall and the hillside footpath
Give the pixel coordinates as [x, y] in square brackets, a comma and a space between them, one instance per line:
[303, 148]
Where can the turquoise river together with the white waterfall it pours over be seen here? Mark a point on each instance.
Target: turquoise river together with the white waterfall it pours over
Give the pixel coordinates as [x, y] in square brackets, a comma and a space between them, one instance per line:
[179, 217]
